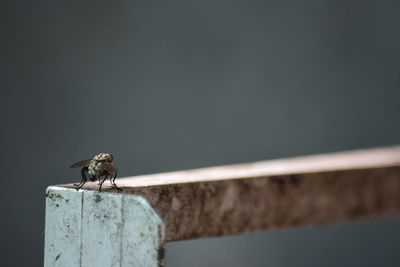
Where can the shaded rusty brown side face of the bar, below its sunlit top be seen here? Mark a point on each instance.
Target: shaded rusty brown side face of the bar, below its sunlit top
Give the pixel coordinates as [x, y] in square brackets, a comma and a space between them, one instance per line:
[194, 210]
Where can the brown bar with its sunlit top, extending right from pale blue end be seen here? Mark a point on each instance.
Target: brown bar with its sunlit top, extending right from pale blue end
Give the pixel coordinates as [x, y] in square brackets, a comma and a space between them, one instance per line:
[248, 197]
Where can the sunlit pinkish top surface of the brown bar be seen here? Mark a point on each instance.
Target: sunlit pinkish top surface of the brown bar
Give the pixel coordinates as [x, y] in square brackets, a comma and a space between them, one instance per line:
[349, 160]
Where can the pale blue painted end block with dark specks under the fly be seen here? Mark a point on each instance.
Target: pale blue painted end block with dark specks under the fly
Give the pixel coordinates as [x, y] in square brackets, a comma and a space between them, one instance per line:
[89, 228]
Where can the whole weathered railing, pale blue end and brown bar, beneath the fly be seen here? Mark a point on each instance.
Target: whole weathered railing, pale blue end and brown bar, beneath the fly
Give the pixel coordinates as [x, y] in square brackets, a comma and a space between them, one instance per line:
[129, 228]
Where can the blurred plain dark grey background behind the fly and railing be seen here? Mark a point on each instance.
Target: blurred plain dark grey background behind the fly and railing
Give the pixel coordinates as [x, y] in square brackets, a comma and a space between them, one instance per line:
[170, 85]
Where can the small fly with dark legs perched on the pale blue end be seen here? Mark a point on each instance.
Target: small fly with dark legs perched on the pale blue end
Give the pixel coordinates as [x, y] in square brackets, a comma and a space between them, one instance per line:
[101, 165]
